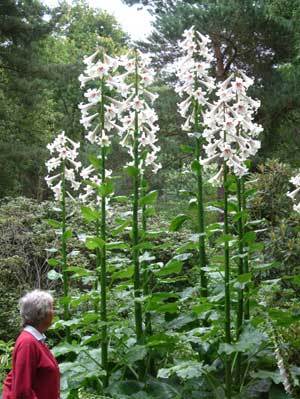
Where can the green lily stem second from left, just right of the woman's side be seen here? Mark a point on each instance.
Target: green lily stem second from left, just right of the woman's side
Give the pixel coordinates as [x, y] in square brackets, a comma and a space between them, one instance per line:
[103, 311]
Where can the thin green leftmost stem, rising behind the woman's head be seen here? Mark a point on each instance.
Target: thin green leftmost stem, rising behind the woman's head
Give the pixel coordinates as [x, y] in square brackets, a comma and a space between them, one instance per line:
[64, 246]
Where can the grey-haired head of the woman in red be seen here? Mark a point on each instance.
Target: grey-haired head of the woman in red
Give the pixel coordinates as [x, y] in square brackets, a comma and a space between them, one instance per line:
[35, 306]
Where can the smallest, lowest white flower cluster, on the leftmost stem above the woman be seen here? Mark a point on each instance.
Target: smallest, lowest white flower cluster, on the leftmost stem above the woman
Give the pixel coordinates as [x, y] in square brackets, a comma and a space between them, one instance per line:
[65, 153]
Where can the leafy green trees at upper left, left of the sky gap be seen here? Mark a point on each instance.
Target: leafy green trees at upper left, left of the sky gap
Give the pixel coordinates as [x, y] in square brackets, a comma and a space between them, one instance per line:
[40, 63]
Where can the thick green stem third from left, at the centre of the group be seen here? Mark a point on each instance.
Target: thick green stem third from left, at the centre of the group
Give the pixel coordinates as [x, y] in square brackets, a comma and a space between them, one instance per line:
[135, 227]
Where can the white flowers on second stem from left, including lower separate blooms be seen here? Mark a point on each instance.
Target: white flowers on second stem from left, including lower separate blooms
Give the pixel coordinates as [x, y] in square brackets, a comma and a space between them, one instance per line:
[102, 73]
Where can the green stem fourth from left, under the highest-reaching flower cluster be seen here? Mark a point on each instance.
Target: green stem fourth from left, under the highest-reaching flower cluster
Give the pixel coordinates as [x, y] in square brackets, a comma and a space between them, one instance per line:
[201, 223]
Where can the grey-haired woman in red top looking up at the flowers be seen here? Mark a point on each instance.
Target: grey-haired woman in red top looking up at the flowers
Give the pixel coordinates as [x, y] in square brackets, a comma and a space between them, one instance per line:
[35, 372]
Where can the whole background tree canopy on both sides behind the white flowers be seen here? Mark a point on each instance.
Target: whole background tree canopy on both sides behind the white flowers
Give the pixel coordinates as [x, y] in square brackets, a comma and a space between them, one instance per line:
[40, 59]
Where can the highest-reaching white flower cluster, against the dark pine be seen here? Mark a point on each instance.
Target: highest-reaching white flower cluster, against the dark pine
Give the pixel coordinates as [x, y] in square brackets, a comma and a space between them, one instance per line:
[192, 71]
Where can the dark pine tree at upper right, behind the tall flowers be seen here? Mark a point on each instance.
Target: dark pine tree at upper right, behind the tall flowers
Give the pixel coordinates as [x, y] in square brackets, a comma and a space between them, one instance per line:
[256, 36]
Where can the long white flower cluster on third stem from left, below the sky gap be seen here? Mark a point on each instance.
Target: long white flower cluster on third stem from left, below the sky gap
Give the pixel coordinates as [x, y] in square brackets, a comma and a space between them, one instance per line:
[138, 113]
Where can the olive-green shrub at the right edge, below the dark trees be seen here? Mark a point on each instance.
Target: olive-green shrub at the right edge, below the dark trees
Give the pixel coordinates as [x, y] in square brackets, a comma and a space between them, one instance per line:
[279, 224]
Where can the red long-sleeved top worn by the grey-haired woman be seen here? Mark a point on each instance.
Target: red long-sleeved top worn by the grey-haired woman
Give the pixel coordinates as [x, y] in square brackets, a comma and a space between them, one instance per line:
[35, 372]
